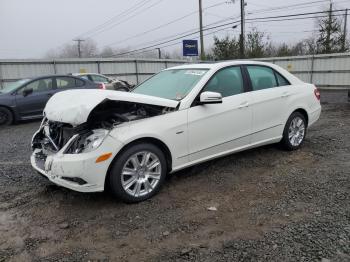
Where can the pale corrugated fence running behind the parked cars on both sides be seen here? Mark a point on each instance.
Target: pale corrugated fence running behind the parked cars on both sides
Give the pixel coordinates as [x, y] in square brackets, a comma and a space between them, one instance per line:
[326, 71]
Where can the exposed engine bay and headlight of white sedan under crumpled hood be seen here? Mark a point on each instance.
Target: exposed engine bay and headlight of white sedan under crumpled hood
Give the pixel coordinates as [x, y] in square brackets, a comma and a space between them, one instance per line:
[53, 136]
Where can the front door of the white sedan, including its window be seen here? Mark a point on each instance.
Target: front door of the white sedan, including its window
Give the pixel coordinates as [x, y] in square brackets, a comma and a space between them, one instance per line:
[216, 129]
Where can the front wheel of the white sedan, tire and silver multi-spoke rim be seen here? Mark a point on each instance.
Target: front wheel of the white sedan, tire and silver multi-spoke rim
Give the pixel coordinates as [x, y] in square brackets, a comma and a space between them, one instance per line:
[138, 173]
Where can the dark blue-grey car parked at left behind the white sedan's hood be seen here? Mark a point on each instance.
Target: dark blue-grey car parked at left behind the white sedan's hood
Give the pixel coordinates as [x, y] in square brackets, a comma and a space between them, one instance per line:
[26, 98]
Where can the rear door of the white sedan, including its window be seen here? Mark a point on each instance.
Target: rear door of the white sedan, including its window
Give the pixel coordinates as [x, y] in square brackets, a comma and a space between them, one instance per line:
[270, 92]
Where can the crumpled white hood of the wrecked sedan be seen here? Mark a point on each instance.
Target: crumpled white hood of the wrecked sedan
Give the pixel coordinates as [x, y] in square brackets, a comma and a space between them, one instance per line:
[74, 106]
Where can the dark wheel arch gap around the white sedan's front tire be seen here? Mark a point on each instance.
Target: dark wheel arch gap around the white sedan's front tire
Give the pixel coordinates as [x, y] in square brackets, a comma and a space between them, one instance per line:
[152, 140]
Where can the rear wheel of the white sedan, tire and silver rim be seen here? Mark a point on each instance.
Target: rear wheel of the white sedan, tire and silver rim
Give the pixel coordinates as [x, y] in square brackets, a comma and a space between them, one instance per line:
[294, 132]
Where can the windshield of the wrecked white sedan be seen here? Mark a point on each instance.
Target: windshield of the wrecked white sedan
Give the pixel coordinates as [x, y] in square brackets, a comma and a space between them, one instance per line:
[172, 84]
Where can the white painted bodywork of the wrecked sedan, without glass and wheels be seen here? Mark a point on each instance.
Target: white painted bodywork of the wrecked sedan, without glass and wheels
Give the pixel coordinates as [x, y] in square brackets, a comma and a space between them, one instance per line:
[193, 134]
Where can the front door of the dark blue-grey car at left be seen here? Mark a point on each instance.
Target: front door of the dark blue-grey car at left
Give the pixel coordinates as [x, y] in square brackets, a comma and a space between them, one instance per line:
[32, 105]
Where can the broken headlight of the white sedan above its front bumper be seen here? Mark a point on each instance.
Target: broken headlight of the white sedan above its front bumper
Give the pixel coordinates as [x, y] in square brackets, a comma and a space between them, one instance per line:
[87, 142]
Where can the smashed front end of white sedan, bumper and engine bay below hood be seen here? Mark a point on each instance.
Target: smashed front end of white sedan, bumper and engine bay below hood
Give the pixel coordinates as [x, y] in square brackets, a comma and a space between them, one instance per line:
[66, 153]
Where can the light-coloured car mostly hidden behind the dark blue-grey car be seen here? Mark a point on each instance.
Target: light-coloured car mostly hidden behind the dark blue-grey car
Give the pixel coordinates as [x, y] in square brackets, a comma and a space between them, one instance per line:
[109, 83]
